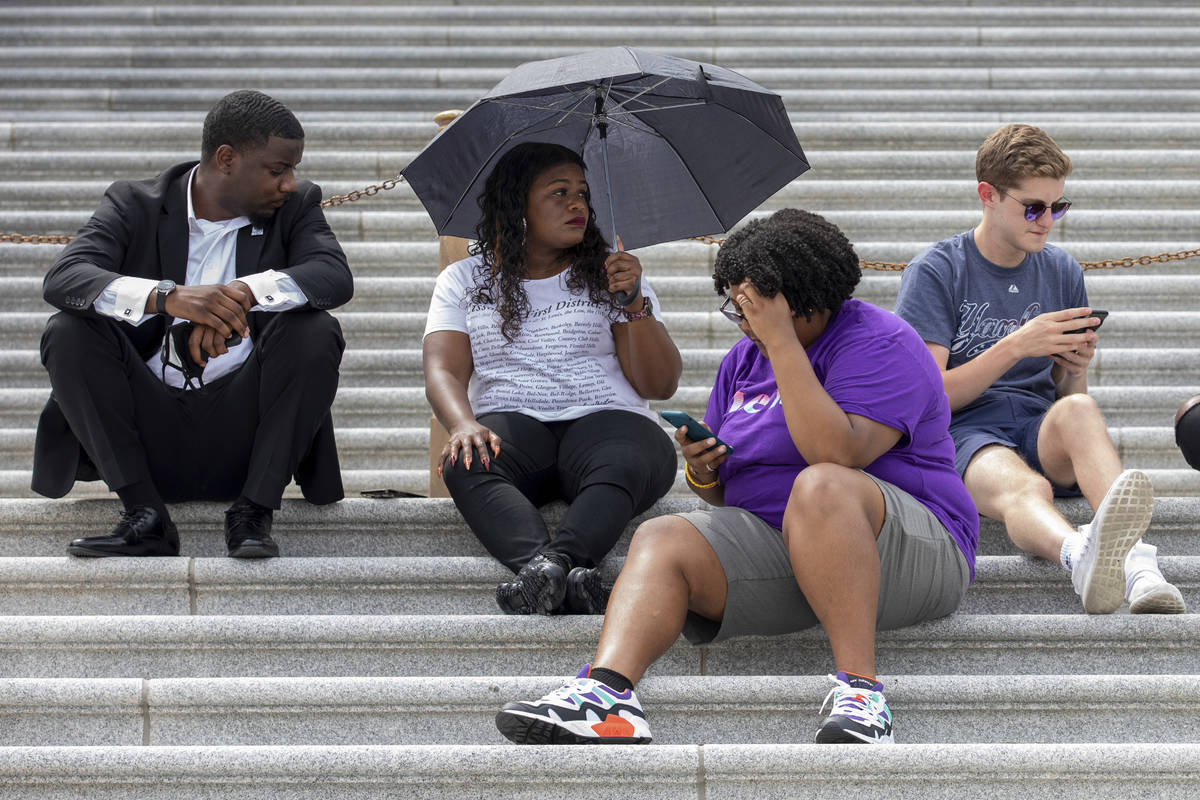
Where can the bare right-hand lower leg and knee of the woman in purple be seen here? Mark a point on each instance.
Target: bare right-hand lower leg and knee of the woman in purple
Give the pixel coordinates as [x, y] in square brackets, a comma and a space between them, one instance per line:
[833, 518]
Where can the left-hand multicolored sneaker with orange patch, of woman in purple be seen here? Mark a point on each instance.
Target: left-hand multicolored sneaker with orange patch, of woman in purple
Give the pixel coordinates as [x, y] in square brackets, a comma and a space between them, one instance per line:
[584, 712]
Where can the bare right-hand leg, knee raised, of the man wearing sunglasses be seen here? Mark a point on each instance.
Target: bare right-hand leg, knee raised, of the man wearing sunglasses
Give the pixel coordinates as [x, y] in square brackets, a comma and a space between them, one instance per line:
[1075, 448]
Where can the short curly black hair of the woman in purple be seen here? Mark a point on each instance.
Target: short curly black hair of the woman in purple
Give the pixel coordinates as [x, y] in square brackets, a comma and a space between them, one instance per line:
[796, 252]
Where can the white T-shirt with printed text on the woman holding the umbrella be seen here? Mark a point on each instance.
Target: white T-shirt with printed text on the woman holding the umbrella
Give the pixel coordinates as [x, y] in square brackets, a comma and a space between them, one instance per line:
[562, 365]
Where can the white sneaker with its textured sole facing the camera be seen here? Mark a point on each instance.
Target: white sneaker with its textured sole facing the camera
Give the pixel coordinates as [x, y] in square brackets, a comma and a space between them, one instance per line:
[1124, 516]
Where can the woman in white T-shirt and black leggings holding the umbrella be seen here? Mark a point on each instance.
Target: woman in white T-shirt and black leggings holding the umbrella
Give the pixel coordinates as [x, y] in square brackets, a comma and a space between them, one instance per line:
[543, 381]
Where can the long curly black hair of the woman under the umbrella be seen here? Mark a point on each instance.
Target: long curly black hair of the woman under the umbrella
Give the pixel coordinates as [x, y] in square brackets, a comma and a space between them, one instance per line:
[500, 238]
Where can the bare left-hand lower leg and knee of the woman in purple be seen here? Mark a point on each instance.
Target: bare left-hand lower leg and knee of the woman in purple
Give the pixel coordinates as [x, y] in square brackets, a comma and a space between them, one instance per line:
[671, 569]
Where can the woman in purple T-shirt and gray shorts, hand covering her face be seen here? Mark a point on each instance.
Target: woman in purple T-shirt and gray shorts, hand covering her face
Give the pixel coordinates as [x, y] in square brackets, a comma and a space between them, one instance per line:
[837, 502]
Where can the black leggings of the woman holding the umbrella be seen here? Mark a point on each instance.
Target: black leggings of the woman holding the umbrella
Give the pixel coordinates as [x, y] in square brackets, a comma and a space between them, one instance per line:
[609, 466]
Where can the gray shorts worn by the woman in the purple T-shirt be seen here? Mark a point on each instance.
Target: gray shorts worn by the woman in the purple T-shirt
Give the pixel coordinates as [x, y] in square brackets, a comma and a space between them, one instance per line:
[923, 574]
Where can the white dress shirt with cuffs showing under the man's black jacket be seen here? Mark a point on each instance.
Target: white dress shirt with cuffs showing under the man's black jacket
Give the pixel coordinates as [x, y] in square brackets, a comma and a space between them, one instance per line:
[212, 260]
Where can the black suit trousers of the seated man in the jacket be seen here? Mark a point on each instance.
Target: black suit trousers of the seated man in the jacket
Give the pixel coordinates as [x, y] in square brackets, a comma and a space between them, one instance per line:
[243, 435]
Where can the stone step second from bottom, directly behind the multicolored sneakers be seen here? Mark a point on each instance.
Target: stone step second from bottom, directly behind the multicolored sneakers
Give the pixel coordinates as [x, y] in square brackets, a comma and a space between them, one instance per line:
[687, 709]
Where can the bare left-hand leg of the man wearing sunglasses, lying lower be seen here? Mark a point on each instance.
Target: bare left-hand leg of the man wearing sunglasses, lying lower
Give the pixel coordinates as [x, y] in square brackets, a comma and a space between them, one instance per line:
[1004, 488]
